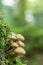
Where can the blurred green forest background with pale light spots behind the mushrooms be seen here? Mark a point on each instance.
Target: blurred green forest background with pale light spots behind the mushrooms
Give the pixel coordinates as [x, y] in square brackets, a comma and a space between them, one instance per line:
[26, 17]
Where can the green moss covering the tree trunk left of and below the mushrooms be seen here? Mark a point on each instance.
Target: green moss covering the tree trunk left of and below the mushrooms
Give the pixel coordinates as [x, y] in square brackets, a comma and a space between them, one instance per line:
[5, 59]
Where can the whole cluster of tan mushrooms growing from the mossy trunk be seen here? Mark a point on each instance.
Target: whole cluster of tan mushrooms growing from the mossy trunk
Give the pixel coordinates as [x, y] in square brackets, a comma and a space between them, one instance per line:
[16, 45]
